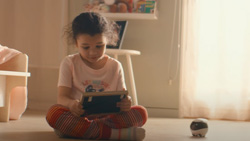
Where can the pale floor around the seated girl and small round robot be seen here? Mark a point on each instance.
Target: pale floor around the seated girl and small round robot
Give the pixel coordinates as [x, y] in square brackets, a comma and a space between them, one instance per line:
[33, 127]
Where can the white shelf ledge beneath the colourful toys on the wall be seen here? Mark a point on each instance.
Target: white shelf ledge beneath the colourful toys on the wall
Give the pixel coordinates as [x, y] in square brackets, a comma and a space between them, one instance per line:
[130, 16]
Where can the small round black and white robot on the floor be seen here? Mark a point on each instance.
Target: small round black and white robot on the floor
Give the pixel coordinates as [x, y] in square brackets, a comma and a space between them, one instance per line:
[199, 127]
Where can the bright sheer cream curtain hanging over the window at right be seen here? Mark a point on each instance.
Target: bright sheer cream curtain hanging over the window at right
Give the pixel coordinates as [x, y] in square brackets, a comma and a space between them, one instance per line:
[215, 72]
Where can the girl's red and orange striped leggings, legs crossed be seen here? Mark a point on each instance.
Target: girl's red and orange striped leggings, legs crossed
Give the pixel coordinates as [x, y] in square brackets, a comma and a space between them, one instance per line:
[89, 127]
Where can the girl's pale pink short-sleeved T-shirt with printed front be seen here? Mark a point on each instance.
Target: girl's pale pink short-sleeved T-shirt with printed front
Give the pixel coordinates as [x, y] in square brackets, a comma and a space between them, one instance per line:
[75, 74]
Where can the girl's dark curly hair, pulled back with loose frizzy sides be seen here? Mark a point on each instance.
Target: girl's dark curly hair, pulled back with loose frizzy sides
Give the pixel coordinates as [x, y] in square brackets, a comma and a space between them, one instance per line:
[92, 23]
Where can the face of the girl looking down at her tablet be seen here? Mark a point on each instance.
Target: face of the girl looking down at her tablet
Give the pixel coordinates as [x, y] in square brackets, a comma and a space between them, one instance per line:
[91, 48]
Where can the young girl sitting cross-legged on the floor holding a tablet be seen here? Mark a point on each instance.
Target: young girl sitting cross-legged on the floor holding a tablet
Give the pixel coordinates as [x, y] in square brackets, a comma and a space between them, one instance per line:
[92, 70]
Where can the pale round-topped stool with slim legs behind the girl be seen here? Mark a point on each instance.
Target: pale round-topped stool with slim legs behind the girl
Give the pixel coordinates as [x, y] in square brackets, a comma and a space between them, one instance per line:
[128, 54]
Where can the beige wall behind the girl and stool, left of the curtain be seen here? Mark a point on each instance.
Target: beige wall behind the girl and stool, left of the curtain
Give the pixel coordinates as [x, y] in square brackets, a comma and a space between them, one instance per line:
[153, 39]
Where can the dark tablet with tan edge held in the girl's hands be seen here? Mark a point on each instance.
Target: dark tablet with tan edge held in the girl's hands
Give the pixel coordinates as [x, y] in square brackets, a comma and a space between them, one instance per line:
[102, 102]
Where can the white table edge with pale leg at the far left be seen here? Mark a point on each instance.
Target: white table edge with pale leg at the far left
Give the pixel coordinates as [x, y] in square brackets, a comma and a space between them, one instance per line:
[3, 76]
